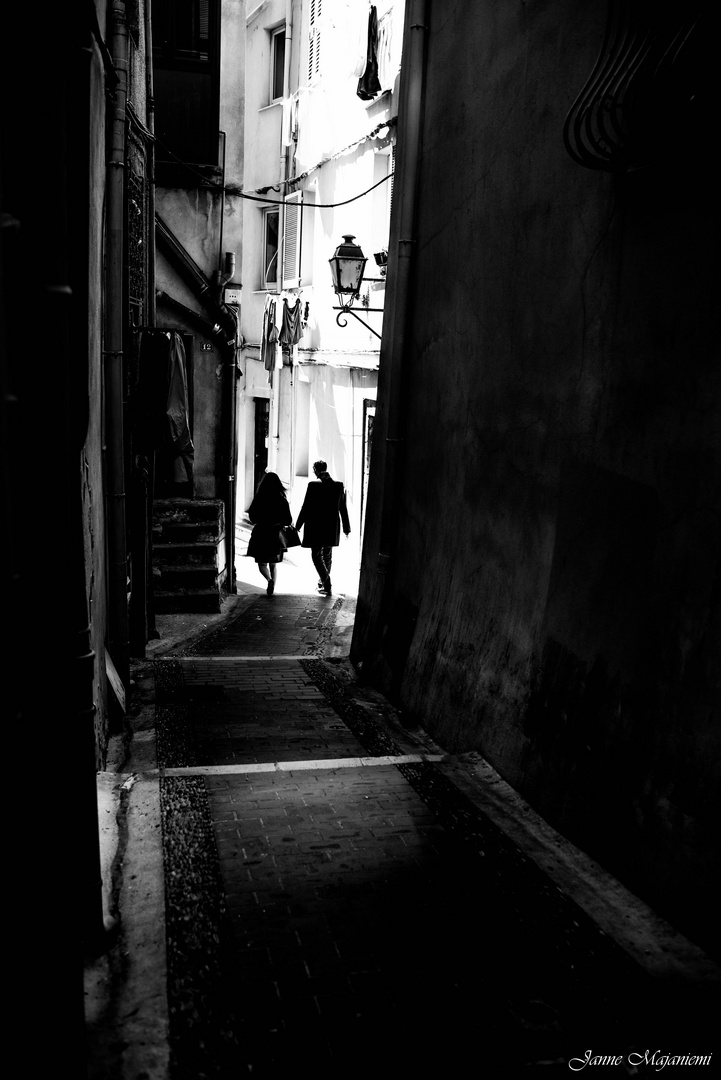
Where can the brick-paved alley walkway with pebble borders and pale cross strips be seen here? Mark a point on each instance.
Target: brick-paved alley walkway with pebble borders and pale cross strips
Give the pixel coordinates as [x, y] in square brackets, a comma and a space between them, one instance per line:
[336, 907]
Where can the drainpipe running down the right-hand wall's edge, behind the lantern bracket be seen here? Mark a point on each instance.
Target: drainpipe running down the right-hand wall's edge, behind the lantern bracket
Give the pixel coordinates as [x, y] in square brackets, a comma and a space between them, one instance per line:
[397, 330]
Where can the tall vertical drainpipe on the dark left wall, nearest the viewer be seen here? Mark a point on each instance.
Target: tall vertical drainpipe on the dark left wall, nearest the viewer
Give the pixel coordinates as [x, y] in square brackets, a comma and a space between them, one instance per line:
[118, 616]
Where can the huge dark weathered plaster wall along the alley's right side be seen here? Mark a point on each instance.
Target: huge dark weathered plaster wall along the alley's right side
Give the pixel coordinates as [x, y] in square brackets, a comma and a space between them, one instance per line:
[554, 599]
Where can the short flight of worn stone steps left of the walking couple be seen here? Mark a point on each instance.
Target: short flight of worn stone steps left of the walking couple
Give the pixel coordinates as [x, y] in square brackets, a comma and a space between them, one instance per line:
[189, 556]
